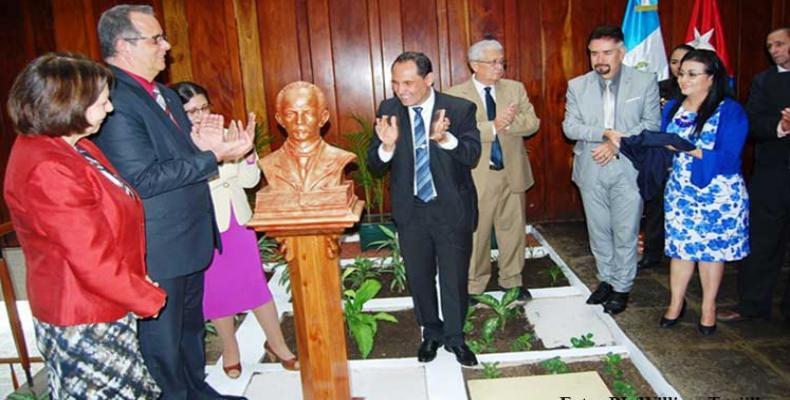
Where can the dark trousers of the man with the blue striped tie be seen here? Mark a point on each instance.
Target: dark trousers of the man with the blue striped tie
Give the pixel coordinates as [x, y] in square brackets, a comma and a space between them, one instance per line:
[429, 244]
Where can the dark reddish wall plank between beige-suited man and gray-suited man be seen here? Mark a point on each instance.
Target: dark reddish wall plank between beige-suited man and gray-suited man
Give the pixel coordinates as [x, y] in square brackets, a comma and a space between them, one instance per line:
[530, 69]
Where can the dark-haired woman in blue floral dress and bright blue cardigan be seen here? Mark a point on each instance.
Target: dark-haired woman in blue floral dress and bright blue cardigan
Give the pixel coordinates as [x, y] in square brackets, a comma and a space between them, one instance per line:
[706, 204]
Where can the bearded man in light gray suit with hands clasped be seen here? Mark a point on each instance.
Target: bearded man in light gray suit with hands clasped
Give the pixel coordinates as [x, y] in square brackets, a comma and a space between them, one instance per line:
[603, 105]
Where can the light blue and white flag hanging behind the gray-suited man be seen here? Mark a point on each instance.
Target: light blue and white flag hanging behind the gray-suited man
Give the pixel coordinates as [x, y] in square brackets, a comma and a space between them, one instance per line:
[643, 40]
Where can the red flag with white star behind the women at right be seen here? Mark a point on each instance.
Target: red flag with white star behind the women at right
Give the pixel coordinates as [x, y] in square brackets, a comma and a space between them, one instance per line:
[705, 31]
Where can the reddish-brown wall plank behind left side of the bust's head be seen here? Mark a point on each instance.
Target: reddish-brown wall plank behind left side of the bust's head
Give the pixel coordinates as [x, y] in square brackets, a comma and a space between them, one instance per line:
[277, 27]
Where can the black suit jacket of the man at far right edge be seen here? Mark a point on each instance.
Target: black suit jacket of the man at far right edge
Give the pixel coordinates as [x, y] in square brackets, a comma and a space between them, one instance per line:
[769, 94]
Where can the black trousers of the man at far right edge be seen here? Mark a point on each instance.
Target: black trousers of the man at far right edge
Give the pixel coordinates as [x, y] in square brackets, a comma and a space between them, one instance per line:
[769, 230]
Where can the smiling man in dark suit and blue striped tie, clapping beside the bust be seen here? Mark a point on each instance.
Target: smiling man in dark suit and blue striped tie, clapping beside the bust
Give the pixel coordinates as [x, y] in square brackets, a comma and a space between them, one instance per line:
[434, 203]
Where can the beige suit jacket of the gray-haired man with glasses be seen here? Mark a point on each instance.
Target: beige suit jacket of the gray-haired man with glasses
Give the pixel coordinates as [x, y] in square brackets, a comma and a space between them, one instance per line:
[518, 171]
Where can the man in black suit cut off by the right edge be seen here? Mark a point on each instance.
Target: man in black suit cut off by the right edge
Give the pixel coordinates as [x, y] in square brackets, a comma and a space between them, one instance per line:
[769, 189]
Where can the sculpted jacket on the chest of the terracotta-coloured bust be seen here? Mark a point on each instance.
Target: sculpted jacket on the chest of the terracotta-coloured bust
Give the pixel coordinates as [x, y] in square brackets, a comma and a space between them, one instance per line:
[324, 169]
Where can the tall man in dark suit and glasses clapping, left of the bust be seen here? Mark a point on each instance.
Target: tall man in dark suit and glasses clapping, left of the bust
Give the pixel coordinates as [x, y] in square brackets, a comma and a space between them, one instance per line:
[147, 139]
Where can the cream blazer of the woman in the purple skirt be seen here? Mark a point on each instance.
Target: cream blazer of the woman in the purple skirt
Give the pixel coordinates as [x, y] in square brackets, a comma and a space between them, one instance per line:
[228, 188]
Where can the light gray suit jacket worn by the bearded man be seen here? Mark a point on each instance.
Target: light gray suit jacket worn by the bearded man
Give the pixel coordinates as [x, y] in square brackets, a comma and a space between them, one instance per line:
[636, 108]
